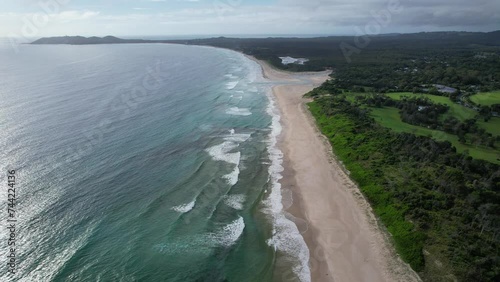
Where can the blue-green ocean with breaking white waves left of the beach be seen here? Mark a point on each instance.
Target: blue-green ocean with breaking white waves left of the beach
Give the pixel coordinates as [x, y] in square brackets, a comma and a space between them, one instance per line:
[142, 162]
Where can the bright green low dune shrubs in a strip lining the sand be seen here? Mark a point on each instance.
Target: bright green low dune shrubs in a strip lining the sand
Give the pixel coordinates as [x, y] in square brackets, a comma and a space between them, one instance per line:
[408, 243]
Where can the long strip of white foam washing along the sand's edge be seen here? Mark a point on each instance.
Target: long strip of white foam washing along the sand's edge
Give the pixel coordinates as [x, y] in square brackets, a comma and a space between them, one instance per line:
[286, 236]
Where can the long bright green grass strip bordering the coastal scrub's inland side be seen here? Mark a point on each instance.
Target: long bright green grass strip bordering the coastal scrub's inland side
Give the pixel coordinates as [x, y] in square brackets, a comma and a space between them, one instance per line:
[389, 117]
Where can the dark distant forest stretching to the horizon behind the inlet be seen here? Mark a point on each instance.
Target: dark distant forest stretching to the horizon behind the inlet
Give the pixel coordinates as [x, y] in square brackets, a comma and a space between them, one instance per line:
[398, 62]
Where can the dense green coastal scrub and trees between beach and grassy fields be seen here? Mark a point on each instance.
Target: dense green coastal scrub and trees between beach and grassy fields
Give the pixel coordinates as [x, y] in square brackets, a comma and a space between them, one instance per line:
[441, 207]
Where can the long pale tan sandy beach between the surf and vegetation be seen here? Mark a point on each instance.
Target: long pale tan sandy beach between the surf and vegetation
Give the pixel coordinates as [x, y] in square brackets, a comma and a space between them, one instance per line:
[345, 241]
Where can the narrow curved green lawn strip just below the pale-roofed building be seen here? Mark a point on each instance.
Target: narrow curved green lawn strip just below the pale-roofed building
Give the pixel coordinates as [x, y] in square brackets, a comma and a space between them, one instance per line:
[458, 111]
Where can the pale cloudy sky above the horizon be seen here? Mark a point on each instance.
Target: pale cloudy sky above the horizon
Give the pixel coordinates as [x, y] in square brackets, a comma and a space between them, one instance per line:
[37, 18]
